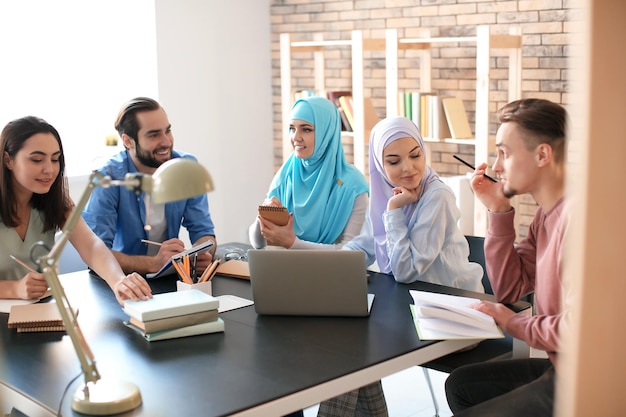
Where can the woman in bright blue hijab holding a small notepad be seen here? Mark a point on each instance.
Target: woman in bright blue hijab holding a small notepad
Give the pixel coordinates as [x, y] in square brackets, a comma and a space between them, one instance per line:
[325, 196]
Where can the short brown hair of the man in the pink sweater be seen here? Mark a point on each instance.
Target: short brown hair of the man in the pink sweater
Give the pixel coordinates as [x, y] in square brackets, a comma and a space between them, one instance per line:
[544, 120]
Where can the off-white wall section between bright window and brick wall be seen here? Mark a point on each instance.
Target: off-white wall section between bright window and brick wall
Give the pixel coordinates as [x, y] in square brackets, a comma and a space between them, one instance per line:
[214, 75]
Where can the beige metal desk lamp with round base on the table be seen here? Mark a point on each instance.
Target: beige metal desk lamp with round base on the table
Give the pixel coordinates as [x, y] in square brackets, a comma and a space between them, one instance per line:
[176, 179]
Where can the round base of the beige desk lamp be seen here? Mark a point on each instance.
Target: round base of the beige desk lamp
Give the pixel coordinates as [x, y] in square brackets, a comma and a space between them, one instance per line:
[106, 397]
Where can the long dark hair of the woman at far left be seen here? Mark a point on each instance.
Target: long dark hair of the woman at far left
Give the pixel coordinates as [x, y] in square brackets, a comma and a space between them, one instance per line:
[55, 203]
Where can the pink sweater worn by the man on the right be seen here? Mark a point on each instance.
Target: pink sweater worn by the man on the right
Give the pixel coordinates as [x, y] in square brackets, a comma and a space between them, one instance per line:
[533, 265]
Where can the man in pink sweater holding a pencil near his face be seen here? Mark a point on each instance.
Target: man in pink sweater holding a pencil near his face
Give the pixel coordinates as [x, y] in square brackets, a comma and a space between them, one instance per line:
[531, 146]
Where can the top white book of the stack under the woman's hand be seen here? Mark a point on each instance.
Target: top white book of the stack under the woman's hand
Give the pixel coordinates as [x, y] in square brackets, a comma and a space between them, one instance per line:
[170, 304]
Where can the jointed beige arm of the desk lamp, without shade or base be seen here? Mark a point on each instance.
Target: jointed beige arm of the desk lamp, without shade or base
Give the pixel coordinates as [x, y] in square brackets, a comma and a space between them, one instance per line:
[49, 263]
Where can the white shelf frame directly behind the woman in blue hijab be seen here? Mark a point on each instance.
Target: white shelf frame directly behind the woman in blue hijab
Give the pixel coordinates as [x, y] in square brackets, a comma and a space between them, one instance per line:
[317, 46]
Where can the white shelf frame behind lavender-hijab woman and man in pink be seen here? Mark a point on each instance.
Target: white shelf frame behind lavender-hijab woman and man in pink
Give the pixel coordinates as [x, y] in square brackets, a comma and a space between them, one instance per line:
[485, 43]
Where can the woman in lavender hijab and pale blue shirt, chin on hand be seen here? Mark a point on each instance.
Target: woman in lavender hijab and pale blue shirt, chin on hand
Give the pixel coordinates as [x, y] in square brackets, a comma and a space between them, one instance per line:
[410, 231]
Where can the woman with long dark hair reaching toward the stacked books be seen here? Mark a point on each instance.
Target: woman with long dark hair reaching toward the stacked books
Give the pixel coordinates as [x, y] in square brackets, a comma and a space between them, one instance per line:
[34, 204]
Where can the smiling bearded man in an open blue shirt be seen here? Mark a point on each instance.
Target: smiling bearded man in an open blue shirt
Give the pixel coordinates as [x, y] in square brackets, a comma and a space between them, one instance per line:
[119, 217]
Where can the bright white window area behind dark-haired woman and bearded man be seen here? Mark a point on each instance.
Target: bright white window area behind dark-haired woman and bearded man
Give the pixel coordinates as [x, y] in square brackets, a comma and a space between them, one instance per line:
[74, 63]
